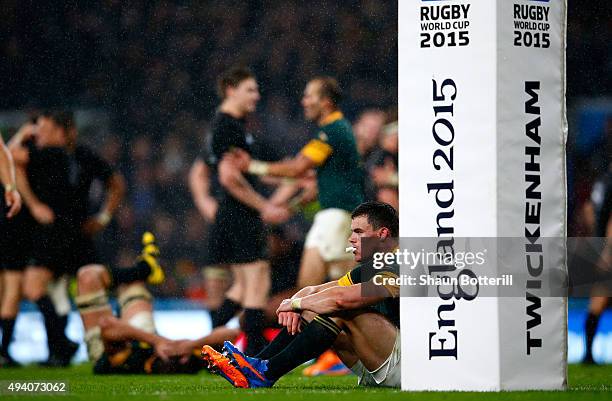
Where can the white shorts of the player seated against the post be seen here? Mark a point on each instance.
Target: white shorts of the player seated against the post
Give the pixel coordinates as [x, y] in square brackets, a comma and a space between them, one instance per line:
[388, 374]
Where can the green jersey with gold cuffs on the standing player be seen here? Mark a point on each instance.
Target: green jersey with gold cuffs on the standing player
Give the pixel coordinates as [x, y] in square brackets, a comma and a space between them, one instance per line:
[340, 174]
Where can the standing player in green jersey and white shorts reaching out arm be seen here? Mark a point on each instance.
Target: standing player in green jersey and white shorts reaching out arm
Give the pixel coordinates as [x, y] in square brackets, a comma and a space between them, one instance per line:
[332, 151]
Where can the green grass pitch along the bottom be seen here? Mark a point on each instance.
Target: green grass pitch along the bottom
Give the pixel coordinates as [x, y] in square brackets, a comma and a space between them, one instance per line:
[585, 383]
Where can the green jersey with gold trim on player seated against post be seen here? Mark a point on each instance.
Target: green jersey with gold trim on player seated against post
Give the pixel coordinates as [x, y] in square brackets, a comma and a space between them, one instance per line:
[365, 273]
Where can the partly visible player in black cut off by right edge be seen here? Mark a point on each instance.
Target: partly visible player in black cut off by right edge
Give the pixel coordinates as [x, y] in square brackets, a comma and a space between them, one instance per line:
[598, 211]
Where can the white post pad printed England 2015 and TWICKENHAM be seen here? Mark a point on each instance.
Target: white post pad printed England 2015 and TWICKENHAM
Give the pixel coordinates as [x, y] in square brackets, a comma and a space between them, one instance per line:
[483, 131]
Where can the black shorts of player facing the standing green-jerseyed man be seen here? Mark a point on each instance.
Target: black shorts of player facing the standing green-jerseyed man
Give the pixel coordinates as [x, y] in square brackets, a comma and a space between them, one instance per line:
[237, 236]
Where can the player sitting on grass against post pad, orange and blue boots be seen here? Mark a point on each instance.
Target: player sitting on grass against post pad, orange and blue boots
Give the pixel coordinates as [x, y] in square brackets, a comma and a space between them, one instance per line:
[354, 315]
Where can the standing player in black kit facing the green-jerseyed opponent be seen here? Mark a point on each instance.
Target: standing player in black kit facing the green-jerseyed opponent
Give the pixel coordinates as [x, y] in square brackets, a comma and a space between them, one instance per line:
[237, 237]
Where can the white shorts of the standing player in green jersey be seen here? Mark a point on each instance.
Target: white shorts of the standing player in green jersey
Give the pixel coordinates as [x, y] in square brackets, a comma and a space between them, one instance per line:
[329, 234]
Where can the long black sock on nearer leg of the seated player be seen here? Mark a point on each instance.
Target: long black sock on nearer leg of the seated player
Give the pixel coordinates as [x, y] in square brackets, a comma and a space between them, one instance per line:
[315, 338]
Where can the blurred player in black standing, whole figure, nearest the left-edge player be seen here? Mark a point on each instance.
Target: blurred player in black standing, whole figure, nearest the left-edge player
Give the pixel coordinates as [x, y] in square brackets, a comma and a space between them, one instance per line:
[42, 170]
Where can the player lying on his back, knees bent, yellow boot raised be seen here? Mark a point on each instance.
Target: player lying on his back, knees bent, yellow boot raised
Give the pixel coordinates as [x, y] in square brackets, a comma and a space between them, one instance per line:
[129, 344]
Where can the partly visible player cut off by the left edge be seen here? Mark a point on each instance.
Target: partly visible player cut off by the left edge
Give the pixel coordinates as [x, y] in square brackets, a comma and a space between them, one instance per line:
[10, 280]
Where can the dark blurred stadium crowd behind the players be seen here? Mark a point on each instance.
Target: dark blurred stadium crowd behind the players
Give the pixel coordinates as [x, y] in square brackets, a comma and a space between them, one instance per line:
[151, 67]
